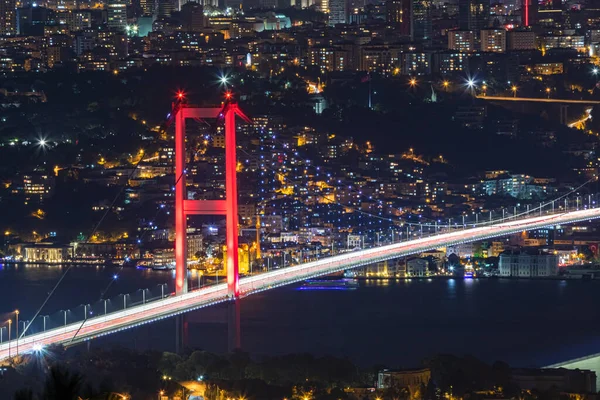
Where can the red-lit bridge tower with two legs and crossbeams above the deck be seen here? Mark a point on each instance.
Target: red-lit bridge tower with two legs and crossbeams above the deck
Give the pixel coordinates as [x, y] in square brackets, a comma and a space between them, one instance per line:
[227, 207]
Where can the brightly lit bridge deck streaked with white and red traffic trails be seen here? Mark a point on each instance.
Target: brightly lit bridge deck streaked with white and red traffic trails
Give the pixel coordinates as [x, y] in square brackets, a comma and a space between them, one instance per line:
[170, 306]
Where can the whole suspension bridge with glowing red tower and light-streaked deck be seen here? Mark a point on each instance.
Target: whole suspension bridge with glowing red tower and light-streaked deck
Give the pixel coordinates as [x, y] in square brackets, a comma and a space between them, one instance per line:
[93, 325]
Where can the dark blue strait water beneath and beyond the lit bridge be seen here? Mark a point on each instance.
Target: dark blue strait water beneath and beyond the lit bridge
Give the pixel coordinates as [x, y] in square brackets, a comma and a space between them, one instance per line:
[523, 322]
